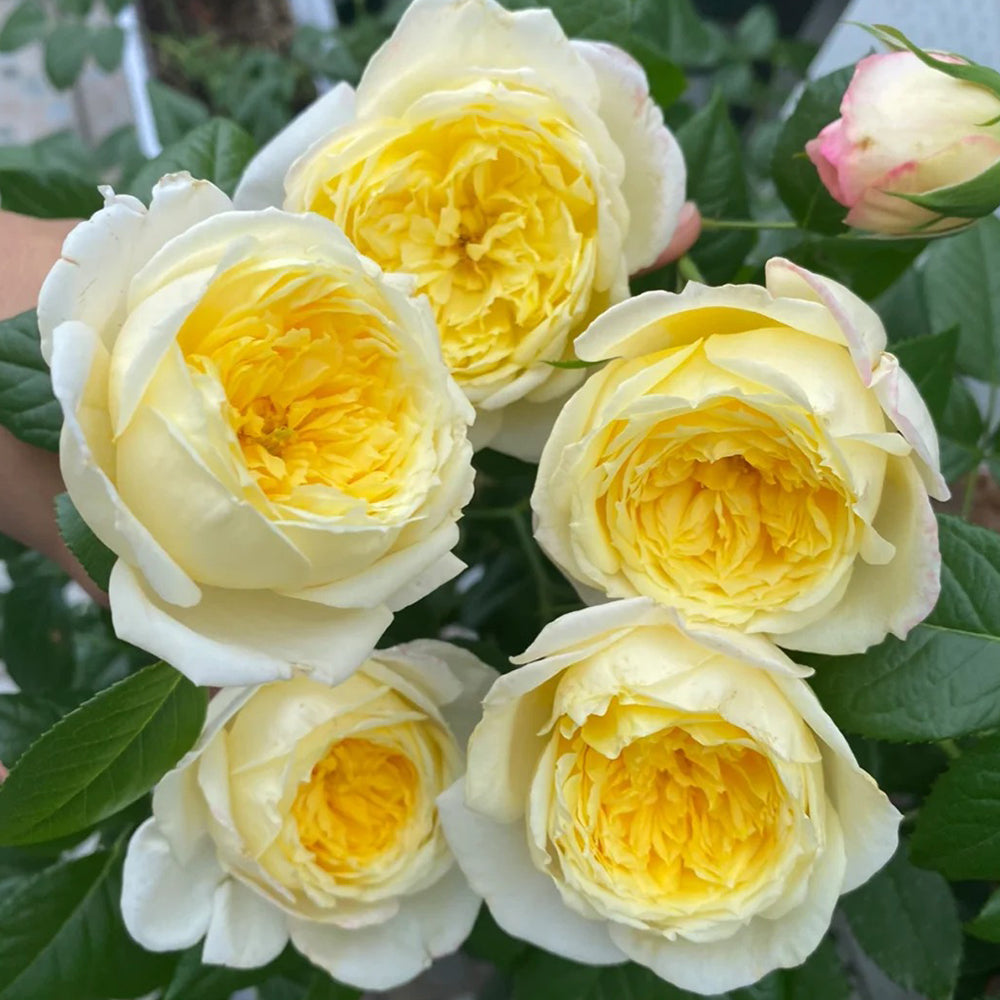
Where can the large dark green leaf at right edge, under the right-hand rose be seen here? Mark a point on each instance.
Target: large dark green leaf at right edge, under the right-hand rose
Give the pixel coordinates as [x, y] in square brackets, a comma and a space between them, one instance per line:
[942, 681]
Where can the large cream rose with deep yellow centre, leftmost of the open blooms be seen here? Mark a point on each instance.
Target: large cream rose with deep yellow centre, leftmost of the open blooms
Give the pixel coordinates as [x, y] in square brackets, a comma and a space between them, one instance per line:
[260, 425]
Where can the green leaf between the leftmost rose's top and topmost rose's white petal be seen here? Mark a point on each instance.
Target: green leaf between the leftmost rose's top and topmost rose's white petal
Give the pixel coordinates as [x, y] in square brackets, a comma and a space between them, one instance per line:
[217, 151]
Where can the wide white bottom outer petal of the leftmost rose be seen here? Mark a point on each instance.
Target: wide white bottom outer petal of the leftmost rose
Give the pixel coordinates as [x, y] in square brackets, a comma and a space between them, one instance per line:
[244, 637]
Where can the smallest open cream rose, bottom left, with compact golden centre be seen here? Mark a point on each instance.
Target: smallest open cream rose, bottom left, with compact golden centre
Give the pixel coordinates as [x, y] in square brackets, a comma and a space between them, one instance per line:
[307, 812]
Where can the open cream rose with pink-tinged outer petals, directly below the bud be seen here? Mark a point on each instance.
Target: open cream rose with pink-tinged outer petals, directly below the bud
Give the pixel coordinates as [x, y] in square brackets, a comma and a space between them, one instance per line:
[752, 456]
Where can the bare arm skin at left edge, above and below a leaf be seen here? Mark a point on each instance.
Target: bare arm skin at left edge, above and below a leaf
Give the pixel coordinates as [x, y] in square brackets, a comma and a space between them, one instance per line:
[30, 477]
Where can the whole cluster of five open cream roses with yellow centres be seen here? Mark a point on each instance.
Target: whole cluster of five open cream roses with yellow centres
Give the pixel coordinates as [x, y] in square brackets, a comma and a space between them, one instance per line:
[274, 435]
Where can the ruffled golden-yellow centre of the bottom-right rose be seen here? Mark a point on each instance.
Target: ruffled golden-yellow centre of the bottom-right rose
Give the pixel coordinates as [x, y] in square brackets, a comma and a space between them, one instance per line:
[678, 819]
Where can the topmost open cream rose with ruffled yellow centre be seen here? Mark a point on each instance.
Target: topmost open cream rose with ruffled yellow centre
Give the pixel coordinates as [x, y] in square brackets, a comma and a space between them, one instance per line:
[519, 176]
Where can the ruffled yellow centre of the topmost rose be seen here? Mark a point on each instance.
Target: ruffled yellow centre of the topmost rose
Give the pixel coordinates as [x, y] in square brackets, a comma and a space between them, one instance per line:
[494, 213]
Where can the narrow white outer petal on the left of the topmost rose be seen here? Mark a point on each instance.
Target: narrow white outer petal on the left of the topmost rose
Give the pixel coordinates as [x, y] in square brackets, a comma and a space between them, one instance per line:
[263, 181]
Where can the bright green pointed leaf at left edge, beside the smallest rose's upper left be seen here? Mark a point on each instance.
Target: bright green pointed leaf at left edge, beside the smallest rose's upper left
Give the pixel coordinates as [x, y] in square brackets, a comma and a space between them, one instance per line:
[101, 757]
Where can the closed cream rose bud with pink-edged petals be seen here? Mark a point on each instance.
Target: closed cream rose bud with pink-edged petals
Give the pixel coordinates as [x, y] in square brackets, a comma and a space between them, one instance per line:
[915, 151]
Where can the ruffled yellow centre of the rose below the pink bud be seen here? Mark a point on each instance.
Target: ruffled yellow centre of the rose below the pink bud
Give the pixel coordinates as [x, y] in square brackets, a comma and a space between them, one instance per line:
[725, 507]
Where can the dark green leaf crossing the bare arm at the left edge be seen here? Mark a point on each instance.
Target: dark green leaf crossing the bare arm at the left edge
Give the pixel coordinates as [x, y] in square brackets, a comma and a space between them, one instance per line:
[27, 407]
